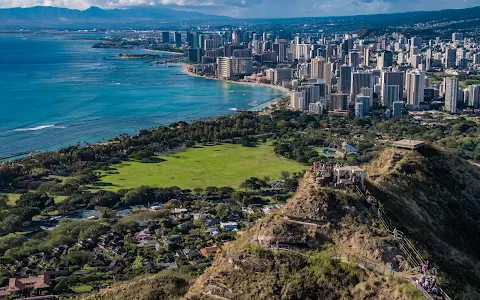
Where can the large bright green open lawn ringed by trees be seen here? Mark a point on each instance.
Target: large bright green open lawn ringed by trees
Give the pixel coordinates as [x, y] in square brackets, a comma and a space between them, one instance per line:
[219, 165]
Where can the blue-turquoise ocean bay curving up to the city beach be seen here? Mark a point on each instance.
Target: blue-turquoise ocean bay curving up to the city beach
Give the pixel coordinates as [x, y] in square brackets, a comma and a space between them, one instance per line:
[56, 91]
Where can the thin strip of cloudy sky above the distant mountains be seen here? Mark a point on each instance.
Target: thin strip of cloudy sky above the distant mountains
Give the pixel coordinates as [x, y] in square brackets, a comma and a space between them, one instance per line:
[262, 8]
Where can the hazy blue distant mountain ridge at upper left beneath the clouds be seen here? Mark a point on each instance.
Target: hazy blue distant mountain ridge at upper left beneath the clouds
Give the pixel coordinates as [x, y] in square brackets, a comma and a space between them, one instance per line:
[47, 16]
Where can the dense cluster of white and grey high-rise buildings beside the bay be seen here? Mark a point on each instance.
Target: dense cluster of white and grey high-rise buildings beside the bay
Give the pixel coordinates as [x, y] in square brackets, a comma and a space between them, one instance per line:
[346, 74]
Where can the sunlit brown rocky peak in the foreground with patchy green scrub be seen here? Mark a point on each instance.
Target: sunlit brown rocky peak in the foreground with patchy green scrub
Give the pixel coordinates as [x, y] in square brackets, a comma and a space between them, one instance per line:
[316, 225]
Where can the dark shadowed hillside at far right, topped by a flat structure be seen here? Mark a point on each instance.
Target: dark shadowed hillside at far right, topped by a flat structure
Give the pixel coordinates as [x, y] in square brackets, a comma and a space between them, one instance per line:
[432, 195]
